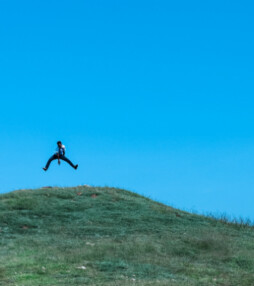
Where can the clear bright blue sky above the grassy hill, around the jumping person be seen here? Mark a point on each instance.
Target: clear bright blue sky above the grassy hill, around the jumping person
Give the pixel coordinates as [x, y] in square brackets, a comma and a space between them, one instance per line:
[152, 96]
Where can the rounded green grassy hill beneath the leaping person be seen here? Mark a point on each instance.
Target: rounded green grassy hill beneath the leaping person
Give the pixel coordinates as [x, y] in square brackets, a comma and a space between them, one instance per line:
[106, 236]
